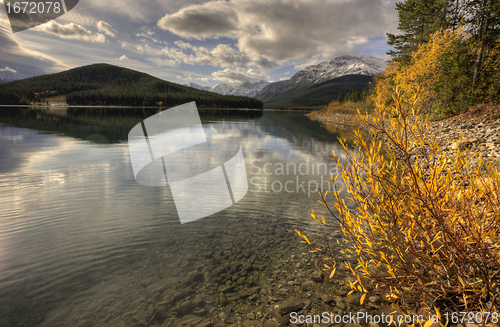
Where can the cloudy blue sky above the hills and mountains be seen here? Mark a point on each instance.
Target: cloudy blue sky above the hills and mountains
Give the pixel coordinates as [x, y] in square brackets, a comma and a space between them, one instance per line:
[204, 42]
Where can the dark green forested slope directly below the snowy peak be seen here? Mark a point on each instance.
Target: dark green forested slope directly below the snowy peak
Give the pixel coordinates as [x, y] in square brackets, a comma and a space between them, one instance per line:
[318, 95]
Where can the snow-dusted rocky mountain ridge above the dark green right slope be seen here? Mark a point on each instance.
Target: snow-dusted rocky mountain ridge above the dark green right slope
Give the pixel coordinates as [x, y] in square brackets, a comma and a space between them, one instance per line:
[327, 70]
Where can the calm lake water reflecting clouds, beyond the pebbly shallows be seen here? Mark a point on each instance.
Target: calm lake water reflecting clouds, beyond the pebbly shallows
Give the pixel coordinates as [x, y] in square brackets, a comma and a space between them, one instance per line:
[82, 243]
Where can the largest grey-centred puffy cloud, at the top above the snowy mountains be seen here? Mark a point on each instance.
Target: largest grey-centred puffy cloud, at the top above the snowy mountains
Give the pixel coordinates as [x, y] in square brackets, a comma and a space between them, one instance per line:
[282, 30]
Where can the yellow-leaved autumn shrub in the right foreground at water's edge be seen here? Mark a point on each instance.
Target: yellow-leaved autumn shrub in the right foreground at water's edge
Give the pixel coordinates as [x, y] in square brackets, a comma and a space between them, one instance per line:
[426, 231]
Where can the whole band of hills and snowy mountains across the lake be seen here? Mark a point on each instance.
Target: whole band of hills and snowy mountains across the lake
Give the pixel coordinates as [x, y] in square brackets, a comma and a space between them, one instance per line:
[310, 88]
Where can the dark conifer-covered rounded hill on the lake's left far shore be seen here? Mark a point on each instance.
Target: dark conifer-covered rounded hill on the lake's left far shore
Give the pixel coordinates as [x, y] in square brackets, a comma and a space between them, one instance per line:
[103, 84]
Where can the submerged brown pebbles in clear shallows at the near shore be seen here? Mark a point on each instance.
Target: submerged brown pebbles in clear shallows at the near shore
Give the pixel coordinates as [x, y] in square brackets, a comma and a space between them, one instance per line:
[240, 276]
